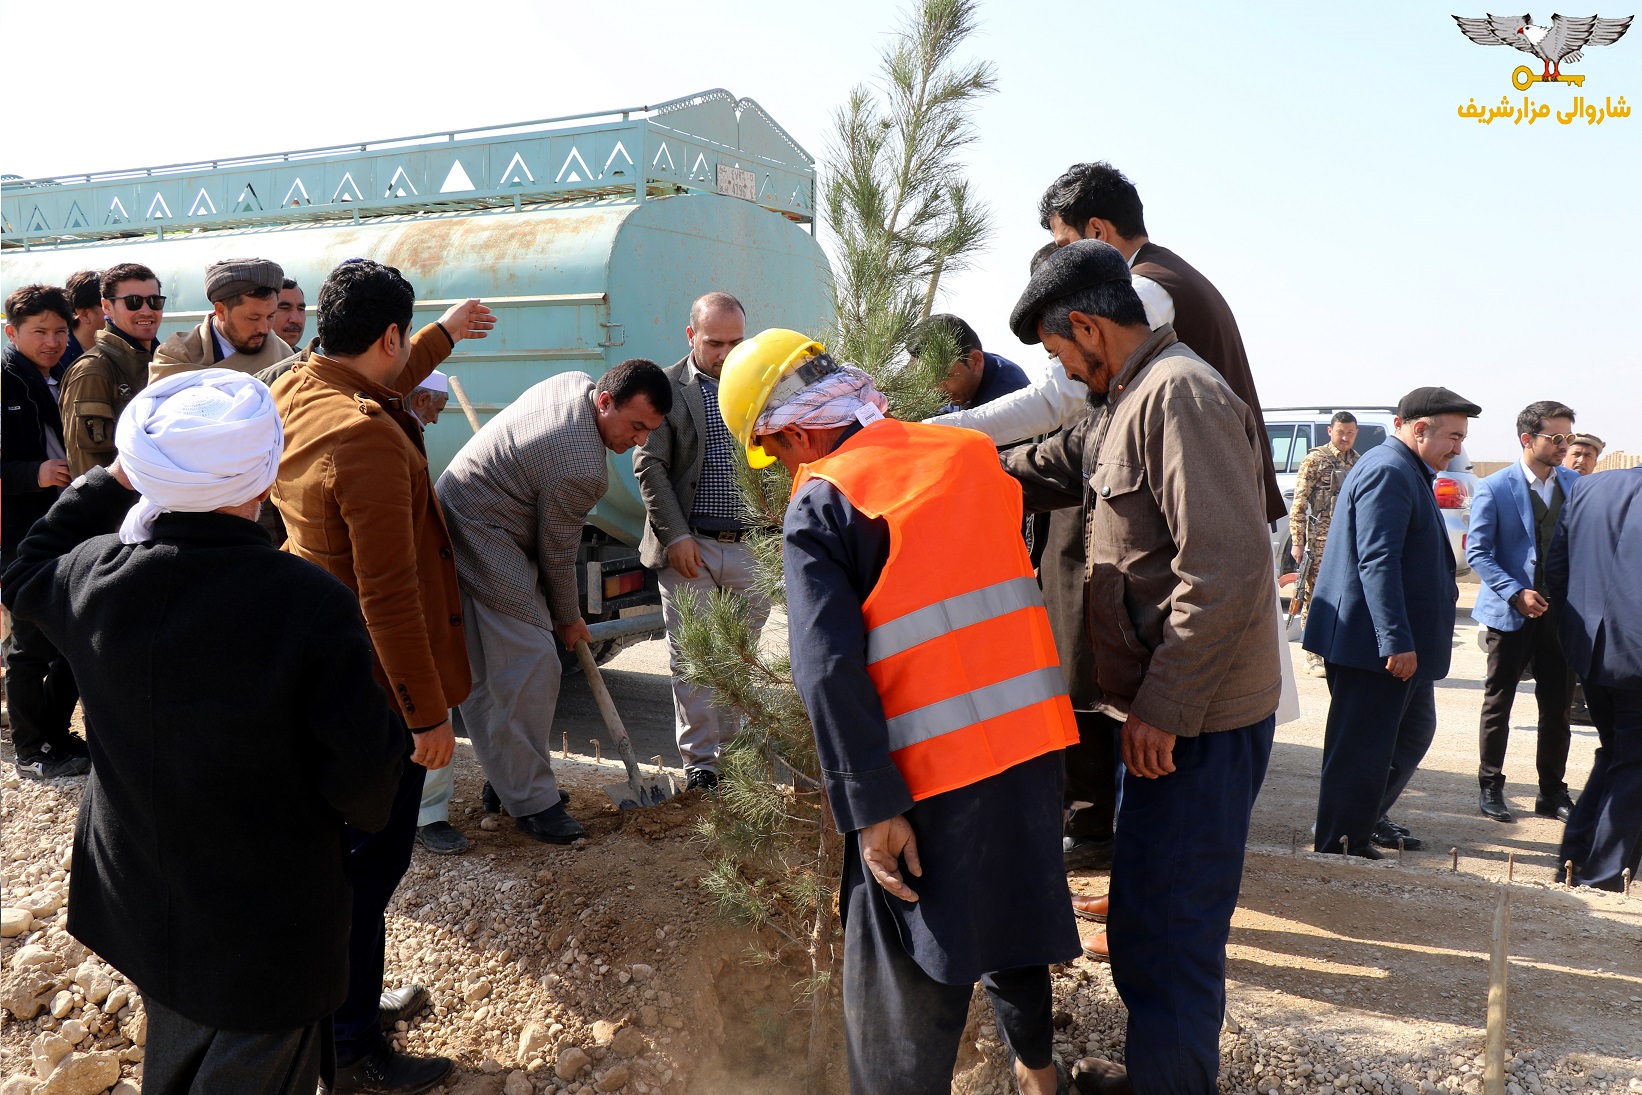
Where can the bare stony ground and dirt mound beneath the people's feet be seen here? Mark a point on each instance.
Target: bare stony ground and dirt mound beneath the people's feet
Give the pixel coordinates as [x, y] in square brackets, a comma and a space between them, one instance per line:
[603, 968]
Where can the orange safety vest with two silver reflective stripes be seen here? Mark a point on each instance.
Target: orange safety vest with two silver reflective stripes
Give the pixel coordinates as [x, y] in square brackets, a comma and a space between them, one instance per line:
[958, 639]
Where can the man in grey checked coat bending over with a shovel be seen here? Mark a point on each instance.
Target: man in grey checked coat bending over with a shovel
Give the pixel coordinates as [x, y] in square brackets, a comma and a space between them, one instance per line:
[515, 500]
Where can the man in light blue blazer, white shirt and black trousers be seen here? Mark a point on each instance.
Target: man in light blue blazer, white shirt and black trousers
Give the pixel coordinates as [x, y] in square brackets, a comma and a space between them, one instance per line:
[1513, 518]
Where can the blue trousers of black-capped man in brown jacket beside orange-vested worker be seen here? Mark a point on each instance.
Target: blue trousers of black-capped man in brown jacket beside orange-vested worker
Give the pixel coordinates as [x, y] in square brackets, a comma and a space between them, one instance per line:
[1176, 871]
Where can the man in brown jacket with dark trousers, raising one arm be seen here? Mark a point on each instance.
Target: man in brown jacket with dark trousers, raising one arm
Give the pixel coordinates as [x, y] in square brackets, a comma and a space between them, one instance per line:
[357, 500]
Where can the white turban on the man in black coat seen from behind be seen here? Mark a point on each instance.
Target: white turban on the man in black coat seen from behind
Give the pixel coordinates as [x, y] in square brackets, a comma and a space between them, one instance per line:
[195, 442]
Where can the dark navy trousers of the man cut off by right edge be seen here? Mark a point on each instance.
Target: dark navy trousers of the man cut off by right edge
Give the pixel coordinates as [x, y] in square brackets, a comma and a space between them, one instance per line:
[1605, 832]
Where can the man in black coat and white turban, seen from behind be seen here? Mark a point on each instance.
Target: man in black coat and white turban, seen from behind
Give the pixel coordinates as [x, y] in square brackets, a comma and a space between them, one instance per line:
[237, 728]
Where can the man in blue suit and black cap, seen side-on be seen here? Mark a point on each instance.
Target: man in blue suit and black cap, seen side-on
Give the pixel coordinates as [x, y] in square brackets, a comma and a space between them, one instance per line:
[1383, 620]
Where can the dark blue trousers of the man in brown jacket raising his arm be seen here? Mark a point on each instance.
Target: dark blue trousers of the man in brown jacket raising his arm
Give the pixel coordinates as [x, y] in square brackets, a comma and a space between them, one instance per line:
[377, 863]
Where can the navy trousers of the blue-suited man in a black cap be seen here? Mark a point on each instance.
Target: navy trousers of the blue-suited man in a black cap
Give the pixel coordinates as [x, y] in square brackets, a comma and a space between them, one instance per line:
[1377, 736]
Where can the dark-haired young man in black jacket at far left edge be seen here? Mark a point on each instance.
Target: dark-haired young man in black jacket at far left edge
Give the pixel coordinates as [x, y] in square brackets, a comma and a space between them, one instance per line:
[40, 684]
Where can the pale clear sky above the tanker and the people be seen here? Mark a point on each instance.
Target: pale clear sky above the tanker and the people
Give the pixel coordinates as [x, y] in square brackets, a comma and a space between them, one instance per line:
[1308, 158]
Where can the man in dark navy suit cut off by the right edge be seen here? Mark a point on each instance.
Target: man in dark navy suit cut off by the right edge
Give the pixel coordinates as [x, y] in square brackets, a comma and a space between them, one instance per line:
[1595, 575]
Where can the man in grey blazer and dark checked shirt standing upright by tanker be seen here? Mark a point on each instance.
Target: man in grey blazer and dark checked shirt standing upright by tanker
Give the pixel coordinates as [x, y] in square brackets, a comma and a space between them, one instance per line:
[695, 529]
